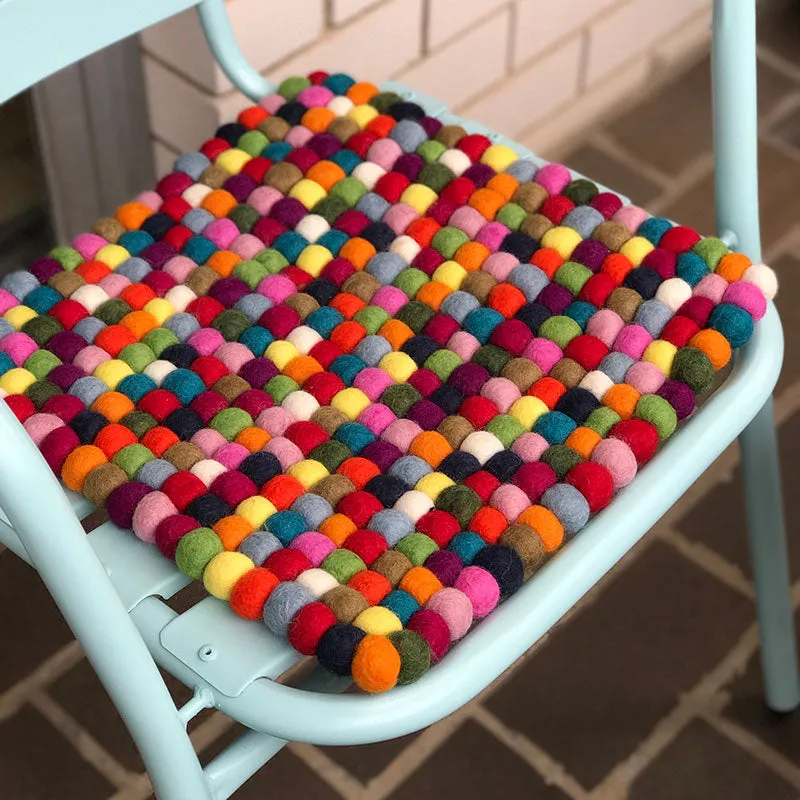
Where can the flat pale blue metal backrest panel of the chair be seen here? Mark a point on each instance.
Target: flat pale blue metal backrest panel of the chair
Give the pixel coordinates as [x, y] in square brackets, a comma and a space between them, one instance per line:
[40, 37]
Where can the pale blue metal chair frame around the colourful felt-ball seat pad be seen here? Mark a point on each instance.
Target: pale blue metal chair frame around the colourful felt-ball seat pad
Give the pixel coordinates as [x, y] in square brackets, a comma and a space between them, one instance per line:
[108, 584]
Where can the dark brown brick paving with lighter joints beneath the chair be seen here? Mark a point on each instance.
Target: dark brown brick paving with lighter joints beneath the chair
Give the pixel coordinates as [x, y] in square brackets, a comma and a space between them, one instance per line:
[650, 690]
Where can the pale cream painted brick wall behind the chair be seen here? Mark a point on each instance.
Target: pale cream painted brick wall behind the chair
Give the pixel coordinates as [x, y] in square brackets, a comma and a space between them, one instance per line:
[541, 71]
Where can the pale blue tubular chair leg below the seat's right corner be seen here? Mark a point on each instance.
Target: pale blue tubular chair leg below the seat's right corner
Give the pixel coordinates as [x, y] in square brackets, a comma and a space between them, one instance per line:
[767, 535]
